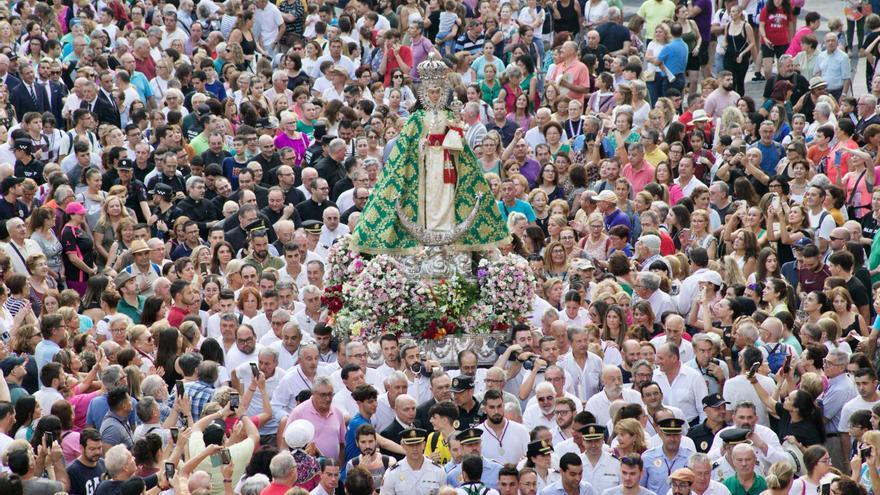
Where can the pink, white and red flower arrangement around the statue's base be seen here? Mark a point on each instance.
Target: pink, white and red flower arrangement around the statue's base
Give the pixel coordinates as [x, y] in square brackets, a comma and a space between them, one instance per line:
[369, 297]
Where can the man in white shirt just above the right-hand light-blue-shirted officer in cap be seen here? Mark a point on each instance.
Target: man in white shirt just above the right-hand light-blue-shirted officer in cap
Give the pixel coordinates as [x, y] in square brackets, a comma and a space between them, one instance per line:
[683, 387]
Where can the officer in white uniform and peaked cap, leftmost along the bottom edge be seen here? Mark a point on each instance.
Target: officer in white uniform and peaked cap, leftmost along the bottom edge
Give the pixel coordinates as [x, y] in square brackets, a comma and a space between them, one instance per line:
[415, 474]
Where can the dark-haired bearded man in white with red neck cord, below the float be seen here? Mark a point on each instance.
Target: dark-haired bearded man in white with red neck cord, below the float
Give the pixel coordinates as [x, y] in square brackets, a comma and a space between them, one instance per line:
[506, 441]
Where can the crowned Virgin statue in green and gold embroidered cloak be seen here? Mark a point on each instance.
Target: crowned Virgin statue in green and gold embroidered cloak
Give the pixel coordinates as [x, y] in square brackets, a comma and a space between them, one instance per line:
[431, 183]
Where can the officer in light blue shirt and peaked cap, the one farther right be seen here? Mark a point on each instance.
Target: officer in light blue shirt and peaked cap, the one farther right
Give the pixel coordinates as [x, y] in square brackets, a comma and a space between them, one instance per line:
[661, 461]
